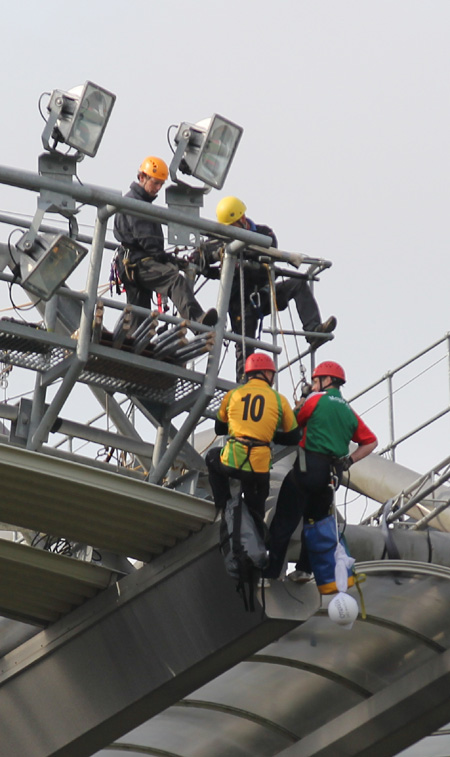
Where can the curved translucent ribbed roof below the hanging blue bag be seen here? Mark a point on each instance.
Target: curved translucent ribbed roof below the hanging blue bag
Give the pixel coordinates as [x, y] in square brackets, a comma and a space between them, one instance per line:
[315, 674]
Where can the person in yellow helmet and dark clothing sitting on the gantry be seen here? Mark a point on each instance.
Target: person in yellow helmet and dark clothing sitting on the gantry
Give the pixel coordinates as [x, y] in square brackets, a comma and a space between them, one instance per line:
[256, 295]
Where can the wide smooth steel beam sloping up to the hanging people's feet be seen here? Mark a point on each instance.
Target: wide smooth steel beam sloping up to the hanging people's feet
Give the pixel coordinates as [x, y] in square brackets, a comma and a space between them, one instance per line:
[128, 654]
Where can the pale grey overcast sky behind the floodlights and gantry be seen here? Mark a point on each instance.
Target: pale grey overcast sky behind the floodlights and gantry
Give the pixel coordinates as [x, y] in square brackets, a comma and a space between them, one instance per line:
[346, 116]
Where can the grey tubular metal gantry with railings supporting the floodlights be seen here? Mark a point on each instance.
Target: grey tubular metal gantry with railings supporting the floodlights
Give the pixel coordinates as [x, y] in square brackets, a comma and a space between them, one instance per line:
[161, 390]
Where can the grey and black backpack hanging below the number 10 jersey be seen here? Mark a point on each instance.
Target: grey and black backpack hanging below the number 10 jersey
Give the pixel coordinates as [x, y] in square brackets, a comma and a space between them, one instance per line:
[243, 547]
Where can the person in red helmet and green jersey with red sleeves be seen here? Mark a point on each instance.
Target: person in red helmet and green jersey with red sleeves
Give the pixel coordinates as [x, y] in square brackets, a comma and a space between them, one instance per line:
[329, 424]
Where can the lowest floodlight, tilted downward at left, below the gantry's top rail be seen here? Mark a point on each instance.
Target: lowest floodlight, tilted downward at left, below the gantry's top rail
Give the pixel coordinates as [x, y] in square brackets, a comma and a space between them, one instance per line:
[49, 262]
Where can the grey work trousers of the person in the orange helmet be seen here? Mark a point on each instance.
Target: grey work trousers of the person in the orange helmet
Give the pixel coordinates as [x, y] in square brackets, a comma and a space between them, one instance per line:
[151, 275]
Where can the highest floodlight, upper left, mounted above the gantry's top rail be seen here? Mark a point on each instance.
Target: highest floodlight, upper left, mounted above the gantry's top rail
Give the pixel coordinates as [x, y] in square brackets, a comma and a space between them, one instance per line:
[79, 117]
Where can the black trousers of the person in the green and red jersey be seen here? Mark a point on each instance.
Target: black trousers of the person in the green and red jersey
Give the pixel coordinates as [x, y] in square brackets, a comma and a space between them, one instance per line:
[306, 495]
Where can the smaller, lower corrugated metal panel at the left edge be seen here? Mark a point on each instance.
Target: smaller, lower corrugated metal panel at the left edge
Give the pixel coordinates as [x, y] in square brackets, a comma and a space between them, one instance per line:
[39, 587]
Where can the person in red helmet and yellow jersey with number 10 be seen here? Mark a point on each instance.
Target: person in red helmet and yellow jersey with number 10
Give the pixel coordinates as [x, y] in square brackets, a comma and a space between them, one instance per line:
[253, 415]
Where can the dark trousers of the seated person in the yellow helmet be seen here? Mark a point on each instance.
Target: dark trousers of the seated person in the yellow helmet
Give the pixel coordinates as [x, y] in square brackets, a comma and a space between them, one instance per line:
[292, 289]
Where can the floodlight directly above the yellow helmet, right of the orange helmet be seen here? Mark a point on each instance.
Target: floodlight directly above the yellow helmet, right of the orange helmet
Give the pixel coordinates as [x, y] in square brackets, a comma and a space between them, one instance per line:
[210, 149]
